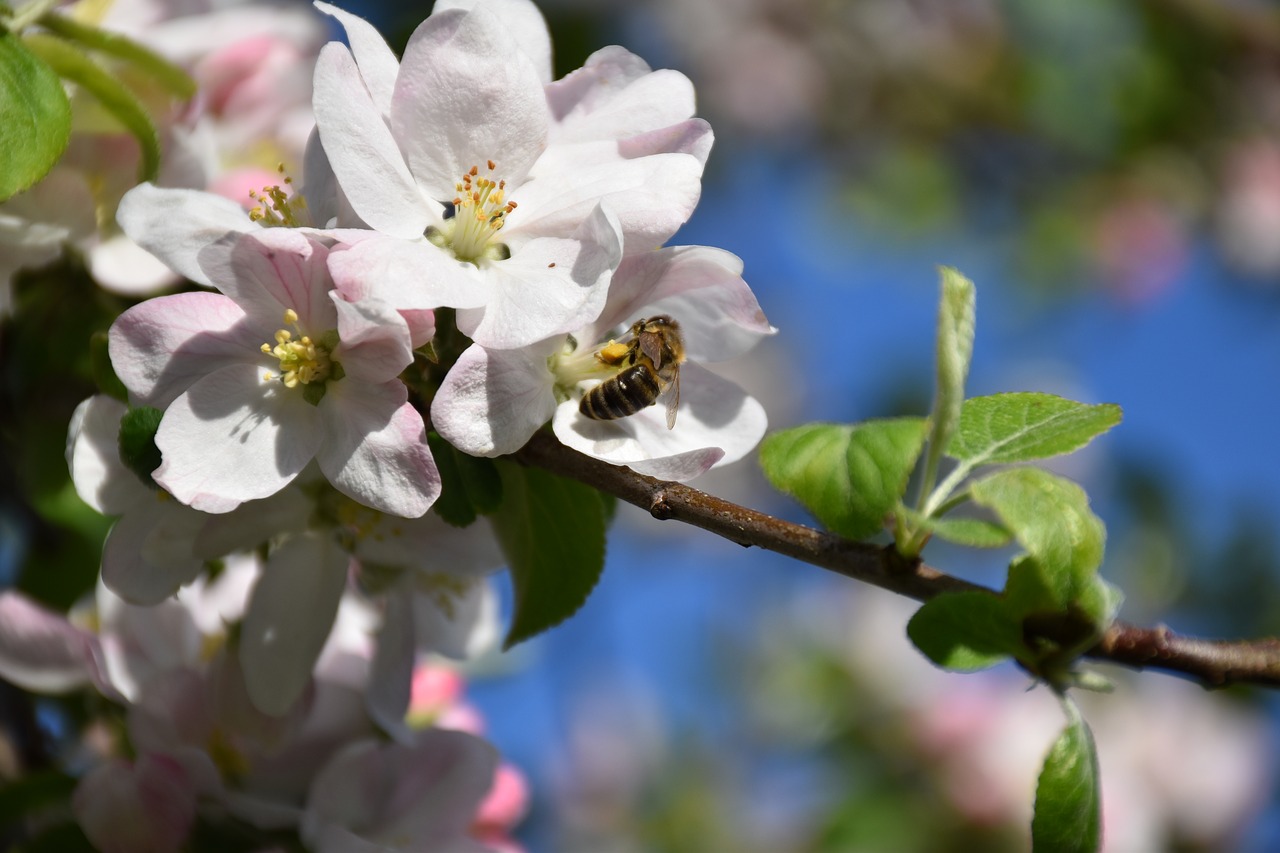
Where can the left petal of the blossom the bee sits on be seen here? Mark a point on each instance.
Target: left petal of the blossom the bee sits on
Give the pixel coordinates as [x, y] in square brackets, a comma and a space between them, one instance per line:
[493, 400]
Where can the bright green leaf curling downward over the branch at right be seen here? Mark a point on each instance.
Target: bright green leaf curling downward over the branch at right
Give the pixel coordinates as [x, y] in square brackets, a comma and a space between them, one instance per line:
[1050, 517]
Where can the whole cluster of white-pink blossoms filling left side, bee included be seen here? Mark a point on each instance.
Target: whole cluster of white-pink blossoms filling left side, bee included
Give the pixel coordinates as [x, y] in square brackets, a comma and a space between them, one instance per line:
[473, 252]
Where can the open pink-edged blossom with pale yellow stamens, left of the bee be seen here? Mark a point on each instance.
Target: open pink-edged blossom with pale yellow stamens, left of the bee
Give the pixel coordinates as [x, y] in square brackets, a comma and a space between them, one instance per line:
[244, 417]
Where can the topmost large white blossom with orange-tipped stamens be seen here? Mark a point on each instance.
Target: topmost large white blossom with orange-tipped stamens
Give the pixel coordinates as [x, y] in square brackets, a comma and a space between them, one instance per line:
[440, 154]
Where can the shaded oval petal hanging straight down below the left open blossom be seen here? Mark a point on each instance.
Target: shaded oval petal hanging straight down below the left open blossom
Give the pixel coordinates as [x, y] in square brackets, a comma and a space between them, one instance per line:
[289, 619]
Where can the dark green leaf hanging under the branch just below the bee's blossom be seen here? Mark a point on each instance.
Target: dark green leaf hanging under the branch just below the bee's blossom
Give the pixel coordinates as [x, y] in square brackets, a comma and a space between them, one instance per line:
[552, 533]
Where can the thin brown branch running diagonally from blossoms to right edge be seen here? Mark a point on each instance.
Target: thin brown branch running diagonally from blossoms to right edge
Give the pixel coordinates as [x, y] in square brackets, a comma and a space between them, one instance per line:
[1212, 663]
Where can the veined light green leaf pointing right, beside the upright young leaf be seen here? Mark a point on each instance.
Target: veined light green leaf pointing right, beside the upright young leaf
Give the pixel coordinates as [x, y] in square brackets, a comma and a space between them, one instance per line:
[1022, 427]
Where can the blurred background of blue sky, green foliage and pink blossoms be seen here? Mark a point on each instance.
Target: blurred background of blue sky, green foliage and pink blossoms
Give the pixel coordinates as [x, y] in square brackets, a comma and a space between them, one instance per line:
[1109, 175]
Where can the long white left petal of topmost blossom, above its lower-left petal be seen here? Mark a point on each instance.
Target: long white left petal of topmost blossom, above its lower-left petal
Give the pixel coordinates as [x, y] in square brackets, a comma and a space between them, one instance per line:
[363, 152]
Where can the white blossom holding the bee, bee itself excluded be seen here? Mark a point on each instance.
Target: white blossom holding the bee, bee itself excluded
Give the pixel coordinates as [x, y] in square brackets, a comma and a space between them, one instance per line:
[493, 400]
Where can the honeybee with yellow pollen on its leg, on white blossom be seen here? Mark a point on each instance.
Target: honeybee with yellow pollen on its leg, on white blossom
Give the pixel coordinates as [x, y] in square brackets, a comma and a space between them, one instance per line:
[651, 368]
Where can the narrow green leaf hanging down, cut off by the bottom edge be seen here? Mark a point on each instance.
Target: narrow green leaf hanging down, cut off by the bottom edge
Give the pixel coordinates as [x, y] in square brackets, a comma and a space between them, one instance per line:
[1068, 800]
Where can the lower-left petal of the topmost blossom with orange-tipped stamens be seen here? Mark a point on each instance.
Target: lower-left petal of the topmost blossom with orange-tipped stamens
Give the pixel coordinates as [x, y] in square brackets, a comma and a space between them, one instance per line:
[409, 276]
